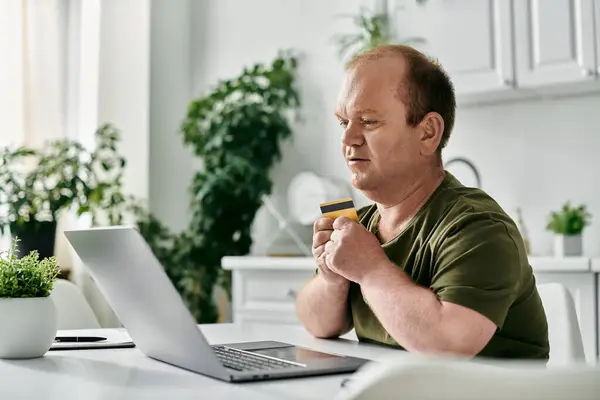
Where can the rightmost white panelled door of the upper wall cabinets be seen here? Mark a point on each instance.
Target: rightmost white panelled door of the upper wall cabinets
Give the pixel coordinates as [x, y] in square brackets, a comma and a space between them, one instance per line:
[554, 41]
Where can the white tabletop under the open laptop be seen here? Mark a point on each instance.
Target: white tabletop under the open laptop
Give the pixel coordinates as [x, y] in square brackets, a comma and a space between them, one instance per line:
[128, 374]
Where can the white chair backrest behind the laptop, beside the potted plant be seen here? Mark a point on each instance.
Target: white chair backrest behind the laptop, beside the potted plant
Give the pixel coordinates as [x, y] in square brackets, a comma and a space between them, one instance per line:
[74, 312]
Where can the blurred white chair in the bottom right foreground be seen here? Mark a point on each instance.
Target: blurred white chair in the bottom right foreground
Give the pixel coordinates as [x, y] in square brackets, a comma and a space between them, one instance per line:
[458, 379]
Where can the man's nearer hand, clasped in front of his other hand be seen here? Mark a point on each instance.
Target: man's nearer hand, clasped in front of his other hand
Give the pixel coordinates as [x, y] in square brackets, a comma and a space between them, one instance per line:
[352, 251]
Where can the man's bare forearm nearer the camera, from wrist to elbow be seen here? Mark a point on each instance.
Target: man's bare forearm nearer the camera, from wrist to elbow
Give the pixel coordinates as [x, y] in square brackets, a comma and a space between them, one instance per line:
[410, 313]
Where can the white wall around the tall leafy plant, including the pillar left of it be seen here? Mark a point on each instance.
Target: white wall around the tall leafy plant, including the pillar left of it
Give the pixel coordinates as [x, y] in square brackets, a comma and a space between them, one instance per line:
[227, 35]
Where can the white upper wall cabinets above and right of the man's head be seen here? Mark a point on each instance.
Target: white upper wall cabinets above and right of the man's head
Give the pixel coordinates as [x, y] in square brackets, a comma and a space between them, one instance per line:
[498, 50]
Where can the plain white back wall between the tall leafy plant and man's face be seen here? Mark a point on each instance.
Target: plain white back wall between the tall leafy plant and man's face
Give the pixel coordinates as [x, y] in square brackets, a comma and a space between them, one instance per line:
[241, 33]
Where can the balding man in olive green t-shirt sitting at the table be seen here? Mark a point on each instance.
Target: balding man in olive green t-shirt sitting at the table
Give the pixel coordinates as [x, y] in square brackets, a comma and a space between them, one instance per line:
[432, 267]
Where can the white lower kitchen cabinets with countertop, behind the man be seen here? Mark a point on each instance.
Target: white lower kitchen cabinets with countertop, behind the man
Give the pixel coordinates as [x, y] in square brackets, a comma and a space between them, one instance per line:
[265, 289]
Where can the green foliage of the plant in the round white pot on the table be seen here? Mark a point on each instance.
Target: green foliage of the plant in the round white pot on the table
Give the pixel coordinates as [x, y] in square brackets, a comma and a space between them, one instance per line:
[27, 276]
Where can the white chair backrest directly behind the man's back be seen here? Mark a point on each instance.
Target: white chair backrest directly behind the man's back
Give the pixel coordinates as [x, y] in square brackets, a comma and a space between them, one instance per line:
[566, 344]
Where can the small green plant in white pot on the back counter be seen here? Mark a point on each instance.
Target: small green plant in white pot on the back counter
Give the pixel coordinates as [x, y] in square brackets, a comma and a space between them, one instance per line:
[567, 226]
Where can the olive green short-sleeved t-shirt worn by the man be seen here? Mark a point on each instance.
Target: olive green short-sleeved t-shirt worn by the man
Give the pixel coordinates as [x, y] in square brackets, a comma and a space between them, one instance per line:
[468, 251]
